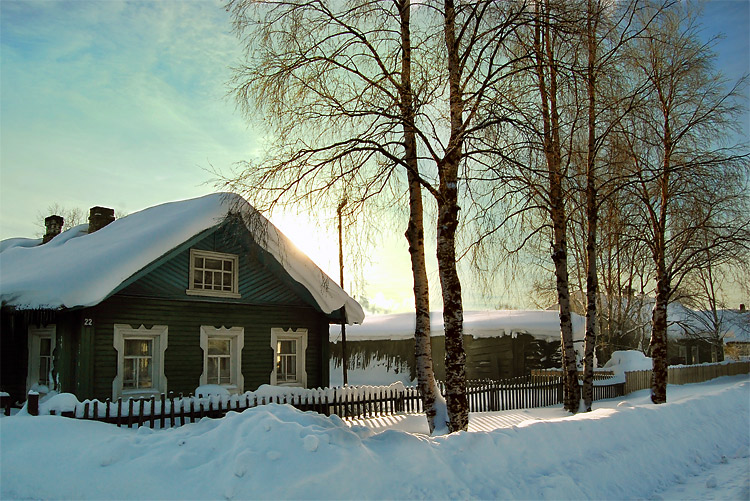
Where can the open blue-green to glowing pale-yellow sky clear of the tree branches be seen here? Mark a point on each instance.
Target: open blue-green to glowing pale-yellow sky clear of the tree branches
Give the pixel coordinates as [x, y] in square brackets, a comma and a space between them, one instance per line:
[124, 105]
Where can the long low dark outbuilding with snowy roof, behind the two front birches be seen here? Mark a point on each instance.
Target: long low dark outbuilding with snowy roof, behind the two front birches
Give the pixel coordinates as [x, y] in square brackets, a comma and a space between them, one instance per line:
[499, 344]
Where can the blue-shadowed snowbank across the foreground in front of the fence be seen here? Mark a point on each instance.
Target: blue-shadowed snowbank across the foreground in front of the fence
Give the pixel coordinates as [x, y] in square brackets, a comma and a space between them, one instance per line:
[625, 449]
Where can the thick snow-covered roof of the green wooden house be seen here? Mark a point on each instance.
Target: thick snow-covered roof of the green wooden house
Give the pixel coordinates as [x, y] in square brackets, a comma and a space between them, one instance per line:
[78, 269]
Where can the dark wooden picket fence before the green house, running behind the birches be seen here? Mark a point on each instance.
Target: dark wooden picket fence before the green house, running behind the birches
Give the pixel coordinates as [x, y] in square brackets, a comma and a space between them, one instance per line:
[348, 403]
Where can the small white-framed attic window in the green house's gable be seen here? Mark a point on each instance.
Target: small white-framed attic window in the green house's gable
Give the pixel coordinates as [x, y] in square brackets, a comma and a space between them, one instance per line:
[213, 274]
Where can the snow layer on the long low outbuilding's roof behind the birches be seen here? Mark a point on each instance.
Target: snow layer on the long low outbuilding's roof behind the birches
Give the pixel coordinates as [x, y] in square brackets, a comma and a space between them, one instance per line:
[490, 323]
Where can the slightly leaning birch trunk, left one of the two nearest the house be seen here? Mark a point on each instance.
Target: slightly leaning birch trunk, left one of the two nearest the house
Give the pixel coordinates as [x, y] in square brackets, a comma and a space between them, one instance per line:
[415, 234]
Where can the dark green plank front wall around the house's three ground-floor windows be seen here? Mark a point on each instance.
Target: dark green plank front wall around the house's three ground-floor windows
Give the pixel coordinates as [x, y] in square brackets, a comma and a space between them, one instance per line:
[184, 356]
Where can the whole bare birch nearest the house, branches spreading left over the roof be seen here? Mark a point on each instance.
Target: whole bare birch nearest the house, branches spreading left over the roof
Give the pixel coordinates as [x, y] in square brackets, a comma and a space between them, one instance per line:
[335, 83]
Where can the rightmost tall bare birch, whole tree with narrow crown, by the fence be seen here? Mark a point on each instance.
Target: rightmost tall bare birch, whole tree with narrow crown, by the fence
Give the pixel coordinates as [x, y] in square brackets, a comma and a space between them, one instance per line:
[685, 177]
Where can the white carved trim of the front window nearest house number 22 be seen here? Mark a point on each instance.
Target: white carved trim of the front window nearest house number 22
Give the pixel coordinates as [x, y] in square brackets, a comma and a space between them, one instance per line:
[159, 334]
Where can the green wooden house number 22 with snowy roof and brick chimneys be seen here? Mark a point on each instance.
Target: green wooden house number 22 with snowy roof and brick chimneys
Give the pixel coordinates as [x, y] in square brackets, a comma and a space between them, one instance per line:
[202, 291]
